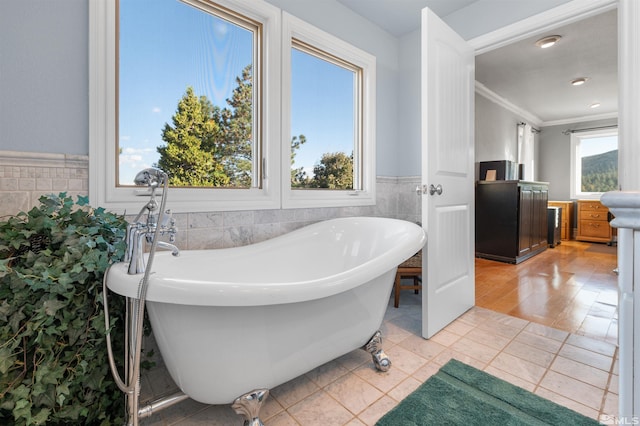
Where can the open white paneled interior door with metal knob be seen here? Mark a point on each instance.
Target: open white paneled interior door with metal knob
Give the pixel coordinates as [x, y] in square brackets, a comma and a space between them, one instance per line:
[447, 174]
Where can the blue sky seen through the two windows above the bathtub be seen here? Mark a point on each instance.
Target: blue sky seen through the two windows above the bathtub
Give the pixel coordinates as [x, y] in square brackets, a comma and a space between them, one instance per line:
[167, 45]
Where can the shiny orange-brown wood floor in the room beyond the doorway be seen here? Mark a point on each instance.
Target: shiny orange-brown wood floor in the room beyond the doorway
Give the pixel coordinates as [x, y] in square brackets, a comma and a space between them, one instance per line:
[571, 287]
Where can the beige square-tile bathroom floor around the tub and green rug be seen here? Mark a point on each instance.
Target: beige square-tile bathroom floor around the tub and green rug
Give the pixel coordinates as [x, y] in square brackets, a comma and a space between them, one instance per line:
[573, 370]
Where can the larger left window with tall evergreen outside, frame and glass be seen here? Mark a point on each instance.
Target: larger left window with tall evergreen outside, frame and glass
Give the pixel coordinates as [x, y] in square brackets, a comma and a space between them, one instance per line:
[113, 121]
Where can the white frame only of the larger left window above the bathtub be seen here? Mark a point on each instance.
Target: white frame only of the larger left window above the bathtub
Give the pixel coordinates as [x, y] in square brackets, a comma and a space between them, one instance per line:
[102, 118]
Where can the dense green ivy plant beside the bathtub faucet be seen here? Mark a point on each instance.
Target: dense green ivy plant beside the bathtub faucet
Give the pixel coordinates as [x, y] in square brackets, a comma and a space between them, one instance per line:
[53, 358]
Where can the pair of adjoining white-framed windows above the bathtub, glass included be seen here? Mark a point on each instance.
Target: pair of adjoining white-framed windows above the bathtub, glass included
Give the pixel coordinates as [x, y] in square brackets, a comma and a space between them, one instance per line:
[160, 75]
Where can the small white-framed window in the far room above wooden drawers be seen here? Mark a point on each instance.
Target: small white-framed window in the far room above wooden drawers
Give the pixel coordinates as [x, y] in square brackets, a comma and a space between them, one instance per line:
[594, 162]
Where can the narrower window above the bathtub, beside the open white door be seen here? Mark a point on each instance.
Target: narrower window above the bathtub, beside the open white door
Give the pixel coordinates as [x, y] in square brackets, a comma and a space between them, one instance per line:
[328, 119]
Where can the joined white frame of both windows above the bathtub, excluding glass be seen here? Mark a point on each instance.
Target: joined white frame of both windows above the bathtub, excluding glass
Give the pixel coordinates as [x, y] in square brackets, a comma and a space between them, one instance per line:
[275, 191]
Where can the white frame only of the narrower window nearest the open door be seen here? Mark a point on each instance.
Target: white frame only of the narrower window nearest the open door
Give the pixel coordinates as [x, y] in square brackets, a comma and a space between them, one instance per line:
[364, 155]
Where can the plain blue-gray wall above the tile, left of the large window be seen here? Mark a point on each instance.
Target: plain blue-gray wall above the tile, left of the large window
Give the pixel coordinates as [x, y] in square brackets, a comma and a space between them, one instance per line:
[44, 76]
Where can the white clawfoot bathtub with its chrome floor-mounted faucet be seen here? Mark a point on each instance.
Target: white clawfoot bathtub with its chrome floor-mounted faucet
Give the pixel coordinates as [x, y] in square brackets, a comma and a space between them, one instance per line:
[232, 323]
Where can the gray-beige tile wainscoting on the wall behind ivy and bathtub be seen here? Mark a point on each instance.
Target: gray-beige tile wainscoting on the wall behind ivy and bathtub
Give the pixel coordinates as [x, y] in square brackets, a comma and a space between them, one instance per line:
[25, 176]
